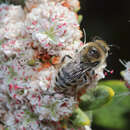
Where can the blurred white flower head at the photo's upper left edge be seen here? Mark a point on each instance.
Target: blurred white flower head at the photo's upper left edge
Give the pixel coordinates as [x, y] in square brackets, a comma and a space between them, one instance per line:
[11, 21]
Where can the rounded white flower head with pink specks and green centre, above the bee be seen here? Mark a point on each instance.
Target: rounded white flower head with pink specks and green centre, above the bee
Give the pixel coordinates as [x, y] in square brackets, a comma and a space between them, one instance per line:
[51, 29]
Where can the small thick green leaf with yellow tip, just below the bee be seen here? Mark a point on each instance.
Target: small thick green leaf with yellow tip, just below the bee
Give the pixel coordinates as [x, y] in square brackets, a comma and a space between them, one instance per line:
[96, 97]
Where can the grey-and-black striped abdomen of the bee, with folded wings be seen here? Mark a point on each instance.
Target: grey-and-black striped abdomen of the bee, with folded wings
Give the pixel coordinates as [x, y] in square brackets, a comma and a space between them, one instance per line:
[68, 76]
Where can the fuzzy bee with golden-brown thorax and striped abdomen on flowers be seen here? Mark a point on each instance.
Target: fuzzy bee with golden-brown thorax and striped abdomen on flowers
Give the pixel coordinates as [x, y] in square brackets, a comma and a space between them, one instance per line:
[79, 70]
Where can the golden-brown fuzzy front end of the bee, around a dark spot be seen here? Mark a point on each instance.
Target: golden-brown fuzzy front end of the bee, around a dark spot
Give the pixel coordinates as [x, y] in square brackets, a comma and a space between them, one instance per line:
[94, 52]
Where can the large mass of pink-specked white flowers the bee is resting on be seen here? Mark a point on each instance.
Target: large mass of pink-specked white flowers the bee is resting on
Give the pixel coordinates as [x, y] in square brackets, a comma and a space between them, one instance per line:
[32, 44]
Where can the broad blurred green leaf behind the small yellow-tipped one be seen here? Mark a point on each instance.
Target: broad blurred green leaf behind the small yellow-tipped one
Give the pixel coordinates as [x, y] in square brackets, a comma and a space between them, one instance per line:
[112, 114]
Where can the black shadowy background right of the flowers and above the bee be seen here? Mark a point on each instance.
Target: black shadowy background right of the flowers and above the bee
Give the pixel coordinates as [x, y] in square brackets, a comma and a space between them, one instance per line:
[110, 20]
